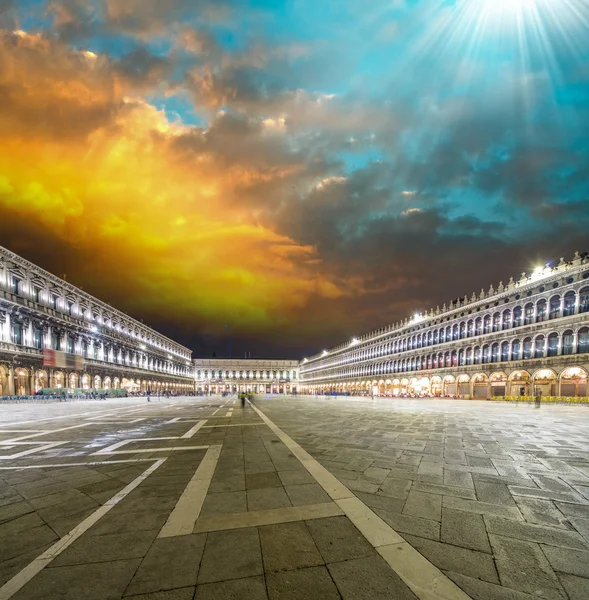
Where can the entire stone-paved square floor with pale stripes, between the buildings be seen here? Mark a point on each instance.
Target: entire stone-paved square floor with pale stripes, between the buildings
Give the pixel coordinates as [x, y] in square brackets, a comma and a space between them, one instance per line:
[199, 498]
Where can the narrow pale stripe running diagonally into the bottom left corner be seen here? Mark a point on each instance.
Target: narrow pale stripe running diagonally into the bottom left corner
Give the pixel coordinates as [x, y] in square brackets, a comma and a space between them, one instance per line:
[23, 577]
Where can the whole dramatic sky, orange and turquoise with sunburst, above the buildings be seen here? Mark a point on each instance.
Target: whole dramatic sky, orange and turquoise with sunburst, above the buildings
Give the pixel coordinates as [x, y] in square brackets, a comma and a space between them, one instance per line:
[275, 177]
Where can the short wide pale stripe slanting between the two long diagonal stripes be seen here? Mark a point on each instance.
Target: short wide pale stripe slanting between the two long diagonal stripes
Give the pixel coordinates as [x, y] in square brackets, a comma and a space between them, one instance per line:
[187, 510]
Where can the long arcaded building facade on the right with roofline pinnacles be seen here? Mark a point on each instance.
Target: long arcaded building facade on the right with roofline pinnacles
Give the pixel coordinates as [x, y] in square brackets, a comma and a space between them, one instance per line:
[529, 336]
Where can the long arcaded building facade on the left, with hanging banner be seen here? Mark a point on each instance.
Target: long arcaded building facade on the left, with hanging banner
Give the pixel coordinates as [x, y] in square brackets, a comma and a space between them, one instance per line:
[40, 311]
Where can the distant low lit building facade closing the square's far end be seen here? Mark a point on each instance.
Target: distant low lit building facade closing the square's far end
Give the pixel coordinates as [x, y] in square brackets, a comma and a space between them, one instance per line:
[219, 375]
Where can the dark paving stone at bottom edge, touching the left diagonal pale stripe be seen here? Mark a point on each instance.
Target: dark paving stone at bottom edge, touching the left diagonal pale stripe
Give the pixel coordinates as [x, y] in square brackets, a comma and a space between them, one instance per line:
[98, 581]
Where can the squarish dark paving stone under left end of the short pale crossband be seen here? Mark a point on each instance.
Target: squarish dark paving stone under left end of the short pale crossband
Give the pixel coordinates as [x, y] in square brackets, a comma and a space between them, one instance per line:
[231, 555]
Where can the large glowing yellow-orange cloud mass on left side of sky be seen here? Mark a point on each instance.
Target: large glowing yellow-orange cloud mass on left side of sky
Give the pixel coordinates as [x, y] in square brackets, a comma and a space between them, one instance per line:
[157, 208]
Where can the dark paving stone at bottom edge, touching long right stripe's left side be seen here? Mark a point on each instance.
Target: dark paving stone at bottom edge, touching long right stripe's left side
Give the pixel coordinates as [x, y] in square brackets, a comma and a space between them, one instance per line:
[368, 579]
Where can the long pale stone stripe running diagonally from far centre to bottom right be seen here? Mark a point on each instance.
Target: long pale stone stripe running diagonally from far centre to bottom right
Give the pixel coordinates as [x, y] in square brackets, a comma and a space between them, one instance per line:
[424, 579]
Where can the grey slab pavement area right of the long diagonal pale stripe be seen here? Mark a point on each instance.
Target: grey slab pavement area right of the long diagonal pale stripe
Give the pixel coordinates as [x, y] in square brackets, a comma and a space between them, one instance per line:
[494, 495]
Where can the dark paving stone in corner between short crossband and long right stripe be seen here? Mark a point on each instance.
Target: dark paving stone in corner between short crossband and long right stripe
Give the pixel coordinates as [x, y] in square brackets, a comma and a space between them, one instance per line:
[338, 539]
